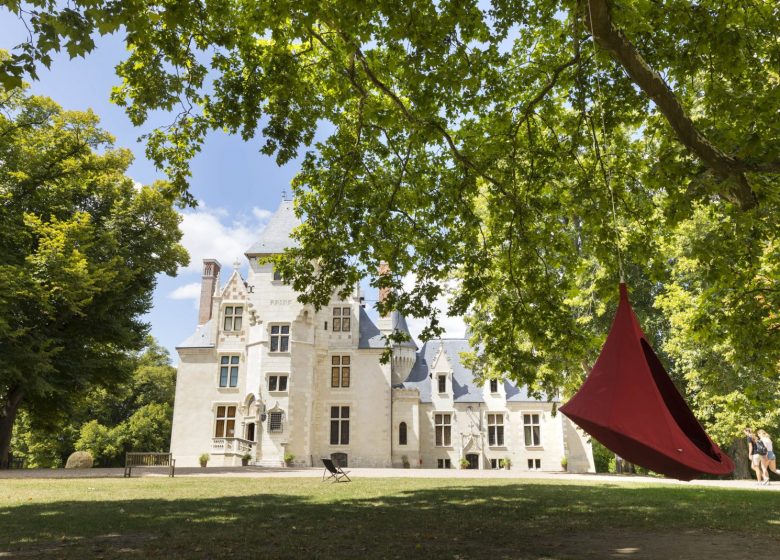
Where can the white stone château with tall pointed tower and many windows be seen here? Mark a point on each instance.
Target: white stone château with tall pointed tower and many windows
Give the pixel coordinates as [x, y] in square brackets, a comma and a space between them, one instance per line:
[264, 377]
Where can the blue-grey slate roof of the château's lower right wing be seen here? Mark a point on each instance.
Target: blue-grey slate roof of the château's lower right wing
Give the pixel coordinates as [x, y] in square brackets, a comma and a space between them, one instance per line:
[464, 388]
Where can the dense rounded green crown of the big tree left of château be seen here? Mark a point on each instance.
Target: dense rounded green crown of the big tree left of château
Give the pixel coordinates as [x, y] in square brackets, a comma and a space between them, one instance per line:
[81, 247]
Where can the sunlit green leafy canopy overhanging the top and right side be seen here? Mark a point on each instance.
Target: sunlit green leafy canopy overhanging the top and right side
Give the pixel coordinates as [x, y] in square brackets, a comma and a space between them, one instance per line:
[489, 141]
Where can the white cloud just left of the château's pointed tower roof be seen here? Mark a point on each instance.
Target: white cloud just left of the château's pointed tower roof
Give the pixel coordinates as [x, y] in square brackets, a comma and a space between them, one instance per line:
[211, 233]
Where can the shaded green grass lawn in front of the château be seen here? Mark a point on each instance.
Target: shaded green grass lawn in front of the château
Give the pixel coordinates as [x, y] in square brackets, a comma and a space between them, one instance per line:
[154, 518]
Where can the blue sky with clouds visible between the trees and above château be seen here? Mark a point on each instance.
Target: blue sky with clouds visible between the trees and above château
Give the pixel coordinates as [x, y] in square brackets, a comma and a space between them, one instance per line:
[236, 186]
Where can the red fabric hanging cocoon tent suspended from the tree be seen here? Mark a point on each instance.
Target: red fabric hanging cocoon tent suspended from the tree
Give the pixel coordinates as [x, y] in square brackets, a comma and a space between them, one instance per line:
[629, 404]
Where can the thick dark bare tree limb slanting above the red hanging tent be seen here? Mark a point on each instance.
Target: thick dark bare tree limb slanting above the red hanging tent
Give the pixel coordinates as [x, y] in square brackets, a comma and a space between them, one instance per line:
[725, 165]
